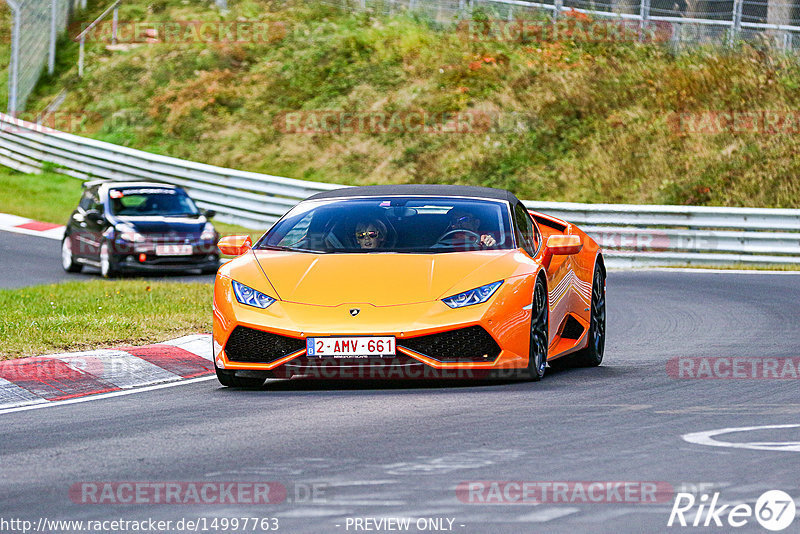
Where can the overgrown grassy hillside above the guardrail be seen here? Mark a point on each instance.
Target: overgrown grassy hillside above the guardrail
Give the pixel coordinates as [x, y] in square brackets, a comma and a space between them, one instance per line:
[596, 114]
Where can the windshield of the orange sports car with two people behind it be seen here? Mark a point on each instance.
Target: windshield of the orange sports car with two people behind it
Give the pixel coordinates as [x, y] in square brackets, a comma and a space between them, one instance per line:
[392, 224]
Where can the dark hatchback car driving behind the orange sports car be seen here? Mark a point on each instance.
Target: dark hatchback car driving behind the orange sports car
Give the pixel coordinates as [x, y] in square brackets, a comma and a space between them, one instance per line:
[138, 226]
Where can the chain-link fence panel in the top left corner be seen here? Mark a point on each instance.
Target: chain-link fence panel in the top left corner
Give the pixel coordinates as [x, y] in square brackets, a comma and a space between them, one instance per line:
[36, 25]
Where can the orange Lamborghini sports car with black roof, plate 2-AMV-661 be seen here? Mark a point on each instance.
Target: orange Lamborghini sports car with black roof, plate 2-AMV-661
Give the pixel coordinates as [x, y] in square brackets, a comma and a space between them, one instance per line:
[409, 281]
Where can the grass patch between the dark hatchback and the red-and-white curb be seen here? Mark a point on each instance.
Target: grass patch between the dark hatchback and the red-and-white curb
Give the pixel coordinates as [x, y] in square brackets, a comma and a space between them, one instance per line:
[95, 314]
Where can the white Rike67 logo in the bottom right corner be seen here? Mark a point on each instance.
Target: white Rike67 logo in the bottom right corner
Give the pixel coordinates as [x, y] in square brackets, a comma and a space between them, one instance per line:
[774, 510]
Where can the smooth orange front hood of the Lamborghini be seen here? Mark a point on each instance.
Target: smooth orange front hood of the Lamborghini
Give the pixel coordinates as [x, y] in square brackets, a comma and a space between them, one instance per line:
[380, 279]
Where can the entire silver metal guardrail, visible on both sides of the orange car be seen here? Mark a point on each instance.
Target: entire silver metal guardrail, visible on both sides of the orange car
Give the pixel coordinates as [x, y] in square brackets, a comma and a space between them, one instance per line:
[632, 235]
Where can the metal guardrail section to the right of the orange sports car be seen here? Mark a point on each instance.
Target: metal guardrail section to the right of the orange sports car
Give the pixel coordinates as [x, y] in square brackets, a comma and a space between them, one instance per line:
[643, 235]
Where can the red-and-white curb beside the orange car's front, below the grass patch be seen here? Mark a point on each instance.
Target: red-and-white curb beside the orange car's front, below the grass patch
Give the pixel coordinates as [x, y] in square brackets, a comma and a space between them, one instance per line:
[59, 377]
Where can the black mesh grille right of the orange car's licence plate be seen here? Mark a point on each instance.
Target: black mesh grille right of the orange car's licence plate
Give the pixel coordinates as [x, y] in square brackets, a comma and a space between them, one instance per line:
[471, 344]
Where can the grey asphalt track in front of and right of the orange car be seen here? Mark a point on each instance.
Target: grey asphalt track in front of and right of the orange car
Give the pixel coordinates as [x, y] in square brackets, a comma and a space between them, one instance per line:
[377, 450]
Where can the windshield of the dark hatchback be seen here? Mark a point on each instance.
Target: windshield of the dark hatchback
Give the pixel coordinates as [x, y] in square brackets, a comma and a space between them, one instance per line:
[143, 202]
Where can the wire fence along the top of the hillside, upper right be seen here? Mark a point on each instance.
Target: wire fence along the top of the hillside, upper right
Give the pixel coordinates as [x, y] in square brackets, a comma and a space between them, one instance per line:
[767, 22]
